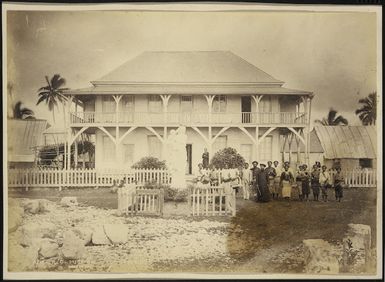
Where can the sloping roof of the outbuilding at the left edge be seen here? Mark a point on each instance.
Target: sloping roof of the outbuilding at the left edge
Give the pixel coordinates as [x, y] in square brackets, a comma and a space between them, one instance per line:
[23, 135]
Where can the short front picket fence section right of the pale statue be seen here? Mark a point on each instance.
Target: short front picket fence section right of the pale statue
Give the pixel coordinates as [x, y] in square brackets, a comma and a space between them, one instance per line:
[211, 201]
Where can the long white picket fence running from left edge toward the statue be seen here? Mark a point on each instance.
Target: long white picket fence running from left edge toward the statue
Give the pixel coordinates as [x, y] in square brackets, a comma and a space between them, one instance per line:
[84, 177]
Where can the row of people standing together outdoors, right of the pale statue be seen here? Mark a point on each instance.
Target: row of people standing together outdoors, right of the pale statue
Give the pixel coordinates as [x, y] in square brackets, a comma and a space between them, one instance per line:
[274, 181]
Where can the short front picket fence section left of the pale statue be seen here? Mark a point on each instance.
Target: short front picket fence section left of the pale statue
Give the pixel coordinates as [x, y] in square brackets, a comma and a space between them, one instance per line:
[141, 201]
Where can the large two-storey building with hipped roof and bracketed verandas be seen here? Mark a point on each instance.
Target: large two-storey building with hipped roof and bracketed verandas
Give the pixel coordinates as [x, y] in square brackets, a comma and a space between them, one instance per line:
[222, 100]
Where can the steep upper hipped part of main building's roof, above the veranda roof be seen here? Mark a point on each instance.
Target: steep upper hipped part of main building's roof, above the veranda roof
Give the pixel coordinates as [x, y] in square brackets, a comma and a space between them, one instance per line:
[188, 67]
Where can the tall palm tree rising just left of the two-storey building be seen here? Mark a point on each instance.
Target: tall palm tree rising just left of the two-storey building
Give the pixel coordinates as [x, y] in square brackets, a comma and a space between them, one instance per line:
[52, 93]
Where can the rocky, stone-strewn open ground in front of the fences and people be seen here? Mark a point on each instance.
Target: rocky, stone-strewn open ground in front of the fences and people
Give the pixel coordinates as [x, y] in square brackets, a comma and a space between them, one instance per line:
[61, 235]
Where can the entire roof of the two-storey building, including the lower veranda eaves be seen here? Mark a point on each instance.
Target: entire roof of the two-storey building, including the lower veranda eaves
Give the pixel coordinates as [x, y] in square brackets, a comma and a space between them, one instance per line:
[187, 72]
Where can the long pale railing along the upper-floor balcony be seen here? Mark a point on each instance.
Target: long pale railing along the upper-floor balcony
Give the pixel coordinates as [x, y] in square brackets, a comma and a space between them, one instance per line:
[189, 118]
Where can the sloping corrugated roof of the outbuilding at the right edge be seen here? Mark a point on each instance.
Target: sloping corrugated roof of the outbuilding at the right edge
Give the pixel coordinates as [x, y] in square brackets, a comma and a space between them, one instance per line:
[352, 142]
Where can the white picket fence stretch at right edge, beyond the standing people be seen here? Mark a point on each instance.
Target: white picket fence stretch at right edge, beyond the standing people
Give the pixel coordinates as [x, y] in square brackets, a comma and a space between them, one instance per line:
[359, 177]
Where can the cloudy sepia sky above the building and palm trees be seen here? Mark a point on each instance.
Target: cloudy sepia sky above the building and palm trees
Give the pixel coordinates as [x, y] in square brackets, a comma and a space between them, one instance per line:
[330, 54]
